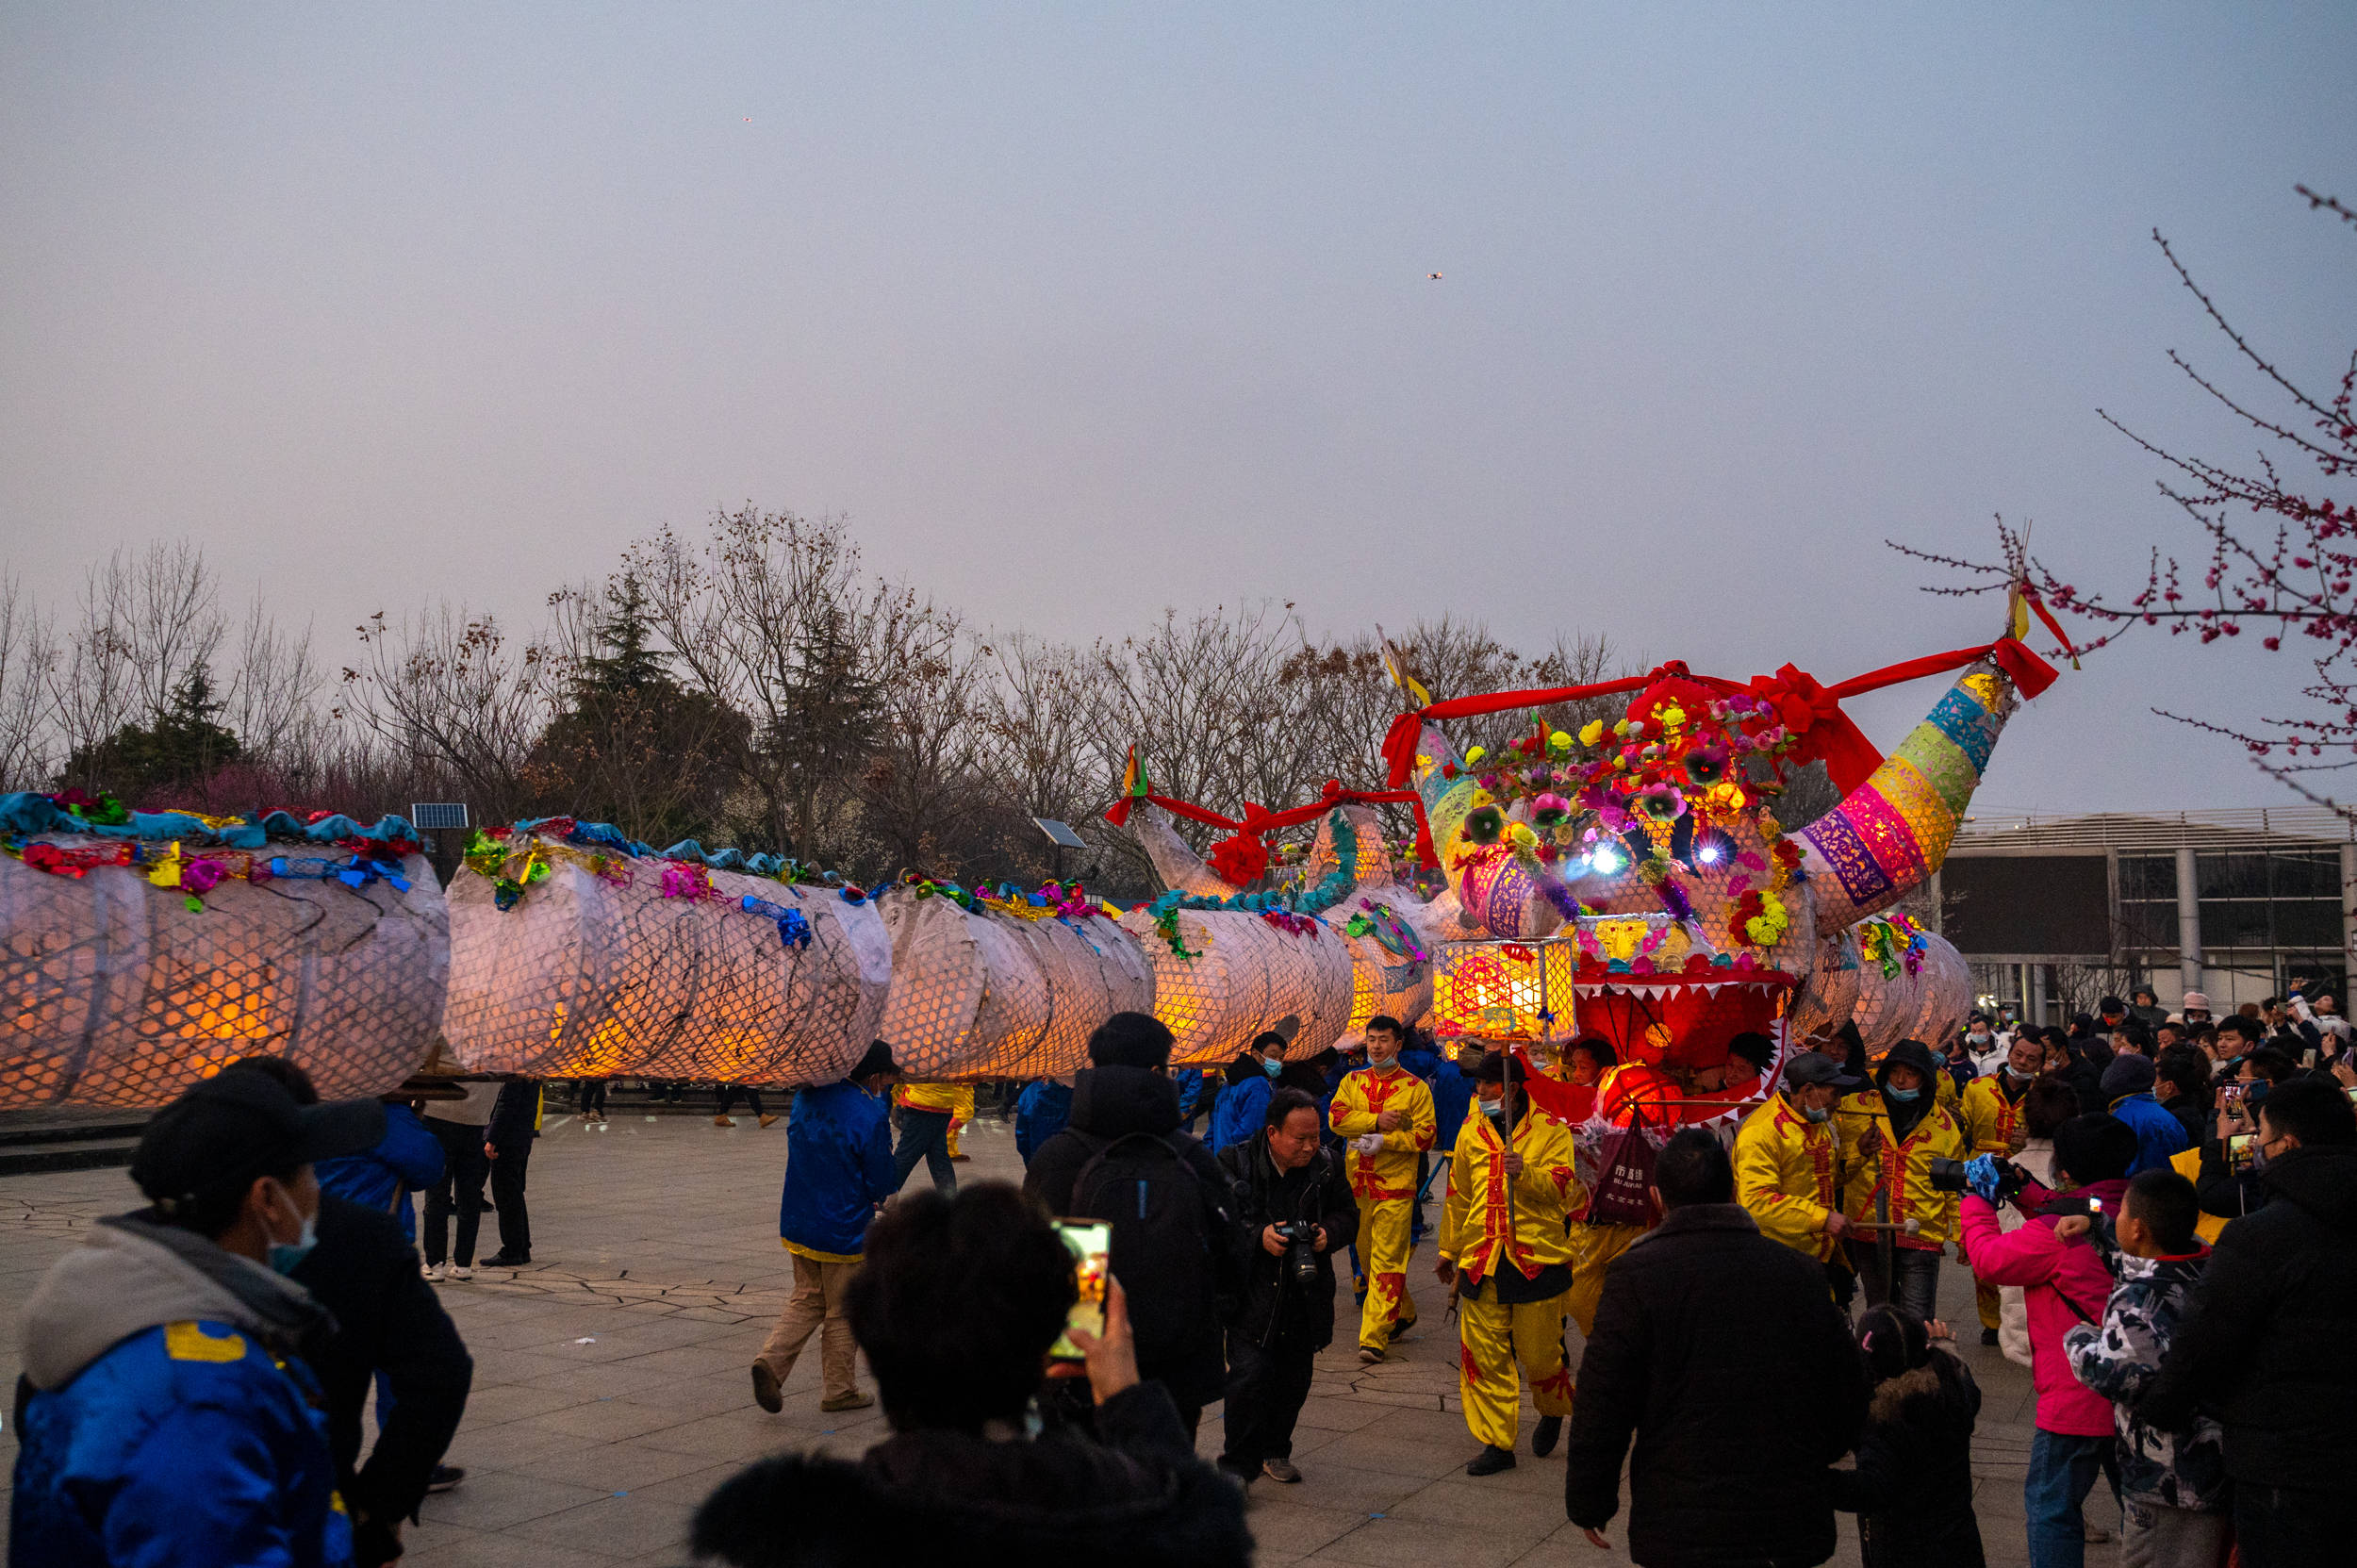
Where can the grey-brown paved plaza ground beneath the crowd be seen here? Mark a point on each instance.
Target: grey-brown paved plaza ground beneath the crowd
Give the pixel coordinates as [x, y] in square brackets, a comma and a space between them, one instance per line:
[612, 1378]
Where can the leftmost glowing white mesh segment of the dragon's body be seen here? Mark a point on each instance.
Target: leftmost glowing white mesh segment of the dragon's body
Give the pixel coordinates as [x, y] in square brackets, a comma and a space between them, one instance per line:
[117, 994]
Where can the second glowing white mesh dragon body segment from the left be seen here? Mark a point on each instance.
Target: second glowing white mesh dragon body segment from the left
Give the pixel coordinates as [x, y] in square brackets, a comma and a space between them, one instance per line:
[590, 980]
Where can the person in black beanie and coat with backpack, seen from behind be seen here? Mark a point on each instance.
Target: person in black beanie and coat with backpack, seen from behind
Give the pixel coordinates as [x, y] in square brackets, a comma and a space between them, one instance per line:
[1130, 1093]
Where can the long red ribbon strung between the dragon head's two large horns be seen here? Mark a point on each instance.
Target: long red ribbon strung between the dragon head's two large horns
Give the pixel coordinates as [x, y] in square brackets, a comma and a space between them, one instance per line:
[1800, 701]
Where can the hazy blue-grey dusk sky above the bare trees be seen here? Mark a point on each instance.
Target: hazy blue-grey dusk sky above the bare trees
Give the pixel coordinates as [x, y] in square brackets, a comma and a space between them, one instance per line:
[1085, 312]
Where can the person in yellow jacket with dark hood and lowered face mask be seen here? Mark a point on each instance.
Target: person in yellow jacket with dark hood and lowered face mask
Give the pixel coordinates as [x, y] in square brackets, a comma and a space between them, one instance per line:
[1891, 1135]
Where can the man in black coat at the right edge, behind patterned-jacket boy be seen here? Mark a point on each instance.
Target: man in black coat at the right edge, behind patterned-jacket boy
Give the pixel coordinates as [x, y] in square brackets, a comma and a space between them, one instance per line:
[2266, 1343]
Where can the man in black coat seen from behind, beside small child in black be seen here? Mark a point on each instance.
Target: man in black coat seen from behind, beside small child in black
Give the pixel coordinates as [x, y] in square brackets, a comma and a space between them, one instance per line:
[1736, 1411]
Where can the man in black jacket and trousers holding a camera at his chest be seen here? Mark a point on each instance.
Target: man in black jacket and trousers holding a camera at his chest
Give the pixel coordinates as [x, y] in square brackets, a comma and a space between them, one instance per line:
[1295, 1208]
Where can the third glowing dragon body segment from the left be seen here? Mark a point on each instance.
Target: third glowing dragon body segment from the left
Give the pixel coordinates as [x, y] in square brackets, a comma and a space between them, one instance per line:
[996, 994]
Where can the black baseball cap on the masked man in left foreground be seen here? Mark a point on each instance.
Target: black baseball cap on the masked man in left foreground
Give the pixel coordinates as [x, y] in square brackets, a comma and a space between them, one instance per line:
[239, 1126]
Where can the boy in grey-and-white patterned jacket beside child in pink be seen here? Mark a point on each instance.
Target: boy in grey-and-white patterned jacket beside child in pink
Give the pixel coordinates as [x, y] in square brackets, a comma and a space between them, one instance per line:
[2172, 1484]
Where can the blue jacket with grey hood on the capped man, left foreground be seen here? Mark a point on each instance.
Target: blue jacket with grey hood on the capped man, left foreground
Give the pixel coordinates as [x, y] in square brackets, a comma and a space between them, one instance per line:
[180, 1442]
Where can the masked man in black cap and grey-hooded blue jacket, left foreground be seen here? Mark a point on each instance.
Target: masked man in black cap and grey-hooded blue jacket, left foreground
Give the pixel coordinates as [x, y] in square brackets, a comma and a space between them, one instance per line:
[164, 1409]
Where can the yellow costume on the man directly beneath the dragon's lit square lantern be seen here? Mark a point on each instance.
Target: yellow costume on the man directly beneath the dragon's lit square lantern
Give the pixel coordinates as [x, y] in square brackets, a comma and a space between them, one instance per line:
[1488, 1232]
